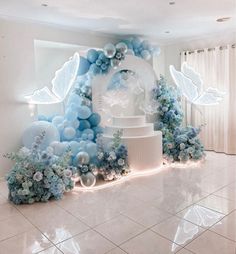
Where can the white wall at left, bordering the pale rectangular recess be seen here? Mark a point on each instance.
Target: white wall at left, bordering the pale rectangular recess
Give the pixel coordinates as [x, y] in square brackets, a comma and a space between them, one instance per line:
[18, 75]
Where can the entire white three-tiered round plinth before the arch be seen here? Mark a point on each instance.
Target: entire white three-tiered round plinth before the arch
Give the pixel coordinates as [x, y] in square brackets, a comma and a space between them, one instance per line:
[143, 143]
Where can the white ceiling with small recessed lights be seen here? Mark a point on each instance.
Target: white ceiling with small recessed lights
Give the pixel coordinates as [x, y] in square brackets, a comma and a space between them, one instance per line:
[155, 19]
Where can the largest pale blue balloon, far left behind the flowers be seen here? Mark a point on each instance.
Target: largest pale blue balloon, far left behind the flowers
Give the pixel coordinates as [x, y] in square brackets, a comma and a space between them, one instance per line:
[37, 128]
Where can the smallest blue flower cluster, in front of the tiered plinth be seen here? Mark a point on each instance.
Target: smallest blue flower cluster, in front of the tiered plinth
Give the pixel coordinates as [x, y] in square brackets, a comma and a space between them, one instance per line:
[112, 158]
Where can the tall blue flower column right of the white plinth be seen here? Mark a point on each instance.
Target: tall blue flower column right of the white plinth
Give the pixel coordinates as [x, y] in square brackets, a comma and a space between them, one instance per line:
[179, 143]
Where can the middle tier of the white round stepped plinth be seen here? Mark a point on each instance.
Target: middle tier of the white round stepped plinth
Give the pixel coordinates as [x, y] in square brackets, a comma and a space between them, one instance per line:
[132, 131]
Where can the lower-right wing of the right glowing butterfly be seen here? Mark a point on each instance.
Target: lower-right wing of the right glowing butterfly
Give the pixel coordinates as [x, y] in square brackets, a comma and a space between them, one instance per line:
[211, 96]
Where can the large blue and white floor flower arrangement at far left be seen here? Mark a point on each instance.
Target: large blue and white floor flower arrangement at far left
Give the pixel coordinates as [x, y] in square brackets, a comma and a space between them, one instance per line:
[38, 175]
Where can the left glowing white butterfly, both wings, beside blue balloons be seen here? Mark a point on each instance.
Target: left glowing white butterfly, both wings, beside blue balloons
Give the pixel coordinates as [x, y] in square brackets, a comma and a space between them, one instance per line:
[61, 84]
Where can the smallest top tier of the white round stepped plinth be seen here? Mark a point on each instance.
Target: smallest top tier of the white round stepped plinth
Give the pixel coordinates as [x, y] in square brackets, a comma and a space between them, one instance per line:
[128, 121]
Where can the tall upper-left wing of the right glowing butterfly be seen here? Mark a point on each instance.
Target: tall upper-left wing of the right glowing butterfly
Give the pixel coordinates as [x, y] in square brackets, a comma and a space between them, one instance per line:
[187, 87]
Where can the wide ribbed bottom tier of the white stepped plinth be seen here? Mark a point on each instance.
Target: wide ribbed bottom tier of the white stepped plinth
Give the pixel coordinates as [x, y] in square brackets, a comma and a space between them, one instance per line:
[144, 152]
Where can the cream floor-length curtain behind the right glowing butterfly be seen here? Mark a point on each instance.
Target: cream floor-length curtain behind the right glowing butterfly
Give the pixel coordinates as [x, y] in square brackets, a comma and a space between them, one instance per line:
[218, 69]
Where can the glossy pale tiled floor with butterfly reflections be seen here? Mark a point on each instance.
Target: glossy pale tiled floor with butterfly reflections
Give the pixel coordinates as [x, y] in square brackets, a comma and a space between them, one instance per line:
[179, 210]
